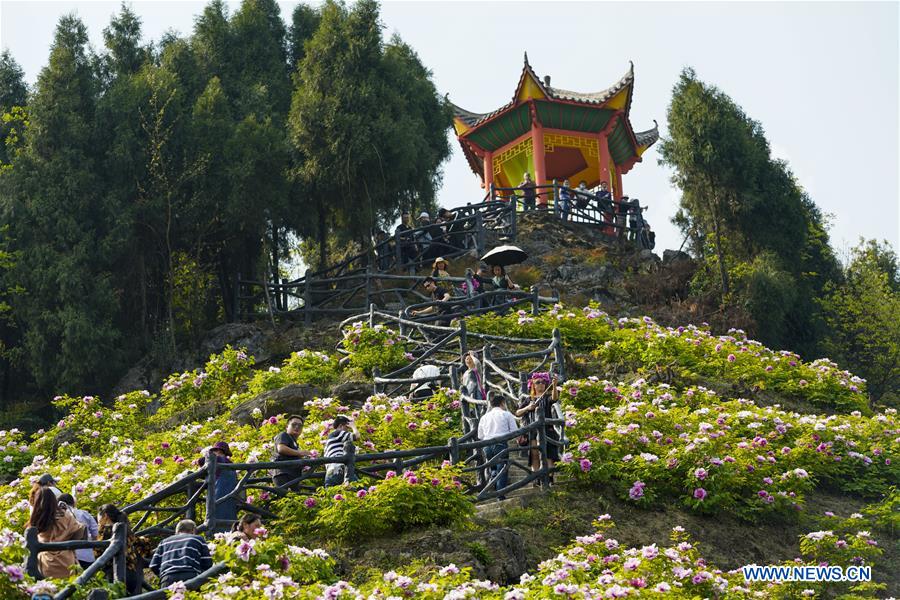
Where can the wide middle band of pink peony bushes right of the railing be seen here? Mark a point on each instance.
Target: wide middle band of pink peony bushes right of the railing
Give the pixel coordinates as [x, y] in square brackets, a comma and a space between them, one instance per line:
[654, 444]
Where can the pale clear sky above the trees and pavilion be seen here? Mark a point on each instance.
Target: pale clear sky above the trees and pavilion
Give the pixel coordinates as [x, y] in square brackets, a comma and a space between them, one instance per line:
[822, 78]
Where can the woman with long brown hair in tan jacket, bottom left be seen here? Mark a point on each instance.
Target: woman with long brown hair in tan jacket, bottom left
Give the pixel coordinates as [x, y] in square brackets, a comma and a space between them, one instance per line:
[55, 522]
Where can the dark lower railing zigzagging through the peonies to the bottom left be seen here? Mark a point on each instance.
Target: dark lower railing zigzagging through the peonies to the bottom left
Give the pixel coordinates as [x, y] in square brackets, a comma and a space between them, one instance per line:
[504, 371]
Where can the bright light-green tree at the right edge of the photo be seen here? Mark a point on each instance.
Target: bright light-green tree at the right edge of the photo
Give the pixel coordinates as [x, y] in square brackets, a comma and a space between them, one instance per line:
[863, 317]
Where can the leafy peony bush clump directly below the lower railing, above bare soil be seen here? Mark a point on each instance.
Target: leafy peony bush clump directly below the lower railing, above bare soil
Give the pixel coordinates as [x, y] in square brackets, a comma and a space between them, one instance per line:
[412, 500]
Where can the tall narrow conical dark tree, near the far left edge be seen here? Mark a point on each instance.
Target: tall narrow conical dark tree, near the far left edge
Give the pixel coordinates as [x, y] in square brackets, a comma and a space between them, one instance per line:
[60, 227]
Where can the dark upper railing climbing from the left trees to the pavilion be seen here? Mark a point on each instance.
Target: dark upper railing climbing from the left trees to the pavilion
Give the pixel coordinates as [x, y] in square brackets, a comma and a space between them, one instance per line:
[353, 283]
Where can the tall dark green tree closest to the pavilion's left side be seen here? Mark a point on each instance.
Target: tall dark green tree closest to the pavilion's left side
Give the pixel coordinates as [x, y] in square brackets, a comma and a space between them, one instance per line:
[354, 117]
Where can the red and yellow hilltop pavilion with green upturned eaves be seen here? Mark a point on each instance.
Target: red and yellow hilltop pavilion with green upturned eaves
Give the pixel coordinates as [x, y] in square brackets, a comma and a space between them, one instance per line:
[555, 134]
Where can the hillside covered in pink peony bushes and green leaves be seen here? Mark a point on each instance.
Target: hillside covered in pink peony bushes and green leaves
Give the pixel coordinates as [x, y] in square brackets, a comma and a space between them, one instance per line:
[667, 428]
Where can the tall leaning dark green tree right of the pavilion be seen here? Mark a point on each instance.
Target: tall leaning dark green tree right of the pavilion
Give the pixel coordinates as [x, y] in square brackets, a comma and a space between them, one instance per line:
[763, 241]
